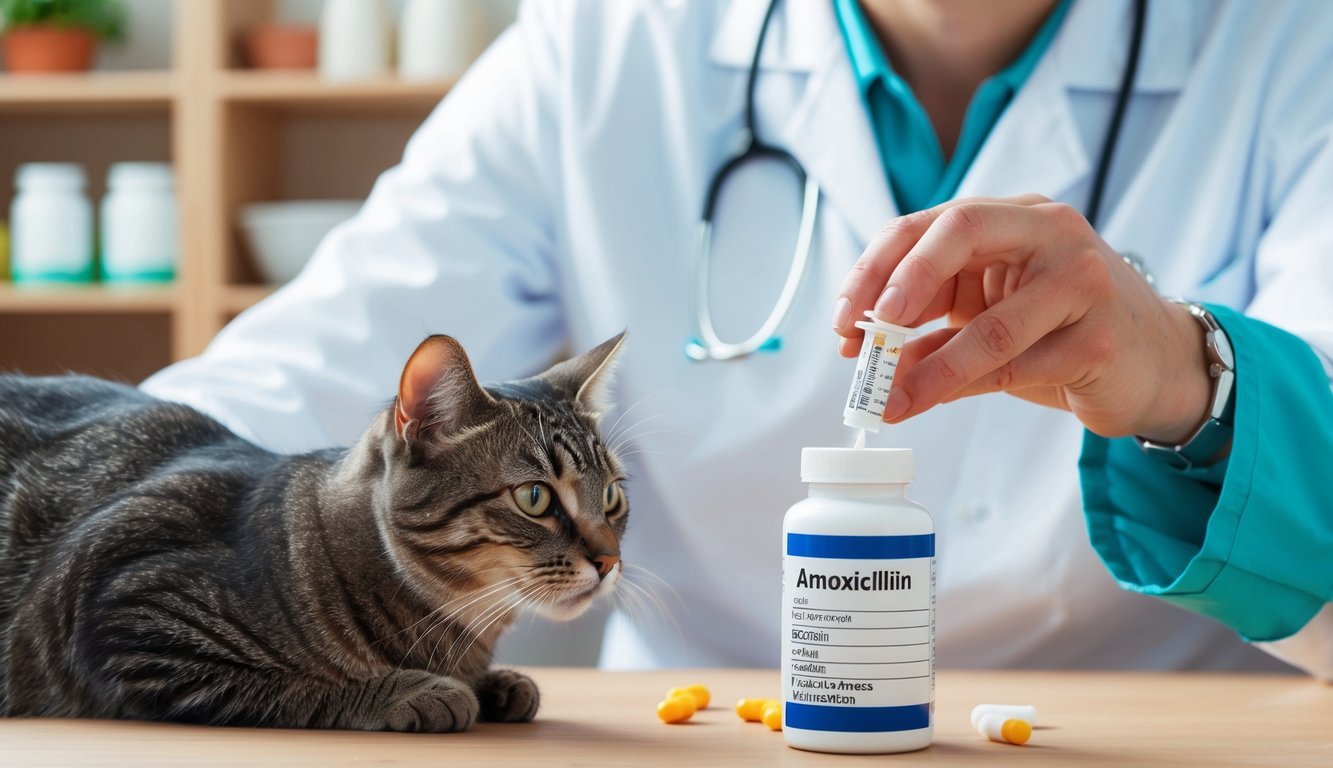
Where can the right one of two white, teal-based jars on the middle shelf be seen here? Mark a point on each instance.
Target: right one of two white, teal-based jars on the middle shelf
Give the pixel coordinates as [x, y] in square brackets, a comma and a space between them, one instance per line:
[139, 223]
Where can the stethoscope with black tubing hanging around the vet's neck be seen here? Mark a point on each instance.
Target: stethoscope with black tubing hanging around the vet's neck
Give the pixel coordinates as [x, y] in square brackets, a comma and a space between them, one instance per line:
[706, 345]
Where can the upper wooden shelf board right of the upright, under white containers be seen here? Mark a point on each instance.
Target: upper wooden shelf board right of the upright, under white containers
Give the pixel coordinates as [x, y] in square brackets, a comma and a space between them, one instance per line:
[307, 93]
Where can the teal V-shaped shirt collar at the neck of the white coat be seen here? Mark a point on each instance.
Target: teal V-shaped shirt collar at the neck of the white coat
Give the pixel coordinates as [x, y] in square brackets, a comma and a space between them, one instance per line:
[914, 162]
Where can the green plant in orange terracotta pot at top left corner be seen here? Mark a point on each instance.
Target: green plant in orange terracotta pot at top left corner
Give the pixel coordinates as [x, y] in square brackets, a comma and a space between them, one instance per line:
[58, 35]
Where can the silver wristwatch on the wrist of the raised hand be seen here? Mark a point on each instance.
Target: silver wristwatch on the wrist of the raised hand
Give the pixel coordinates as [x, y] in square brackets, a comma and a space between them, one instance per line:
[1214, 434]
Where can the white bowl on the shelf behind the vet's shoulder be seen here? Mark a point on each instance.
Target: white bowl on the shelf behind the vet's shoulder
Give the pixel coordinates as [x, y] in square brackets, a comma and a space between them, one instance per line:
[285, 235]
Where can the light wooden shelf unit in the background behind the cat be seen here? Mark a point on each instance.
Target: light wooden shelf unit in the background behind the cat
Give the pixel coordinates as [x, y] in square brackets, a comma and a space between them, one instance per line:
[235, 137]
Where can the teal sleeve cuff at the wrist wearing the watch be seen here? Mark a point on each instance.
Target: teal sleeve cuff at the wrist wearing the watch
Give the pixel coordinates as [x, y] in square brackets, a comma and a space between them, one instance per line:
[1251, 545]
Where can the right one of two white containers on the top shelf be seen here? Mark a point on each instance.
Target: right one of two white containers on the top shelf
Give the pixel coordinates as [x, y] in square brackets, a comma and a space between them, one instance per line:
[441, 38]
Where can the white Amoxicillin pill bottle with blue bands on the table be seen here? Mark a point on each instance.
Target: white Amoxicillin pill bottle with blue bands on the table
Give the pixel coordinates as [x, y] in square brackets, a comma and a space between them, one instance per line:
[858, 607]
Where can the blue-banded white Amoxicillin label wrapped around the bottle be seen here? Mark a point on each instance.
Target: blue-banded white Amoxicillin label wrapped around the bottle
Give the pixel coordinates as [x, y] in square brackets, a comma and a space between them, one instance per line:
[859, 642]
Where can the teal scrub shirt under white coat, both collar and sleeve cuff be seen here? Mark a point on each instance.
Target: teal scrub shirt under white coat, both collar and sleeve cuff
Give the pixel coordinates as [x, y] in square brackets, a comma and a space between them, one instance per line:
[1247, 542]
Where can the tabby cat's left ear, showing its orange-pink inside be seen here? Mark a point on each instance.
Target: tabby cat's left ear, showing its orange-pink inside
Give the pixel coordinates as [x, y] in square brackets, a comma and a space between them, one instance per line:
[439, 393]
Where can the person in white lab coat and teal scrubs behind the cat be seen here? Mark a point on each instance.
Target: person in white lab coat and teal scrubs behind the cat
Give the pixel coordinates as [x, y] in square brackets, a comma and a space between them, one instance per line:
[1008, 175]
